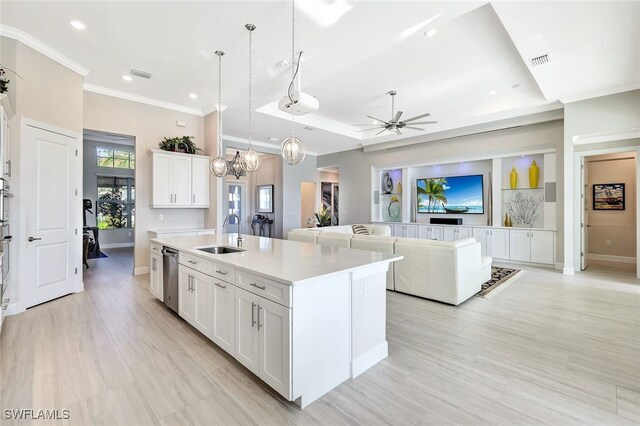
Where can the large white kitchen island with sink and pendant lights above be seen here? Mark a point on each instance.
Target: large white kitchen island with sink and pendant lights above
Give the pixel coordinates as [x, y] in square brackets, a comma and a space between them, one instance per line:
[302, 317]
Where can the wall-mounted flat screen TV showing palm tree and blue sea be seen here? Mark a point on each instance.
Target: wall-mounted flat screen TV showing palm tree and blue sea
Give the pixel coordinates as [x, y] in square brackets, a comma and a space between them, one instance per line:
[454, 194]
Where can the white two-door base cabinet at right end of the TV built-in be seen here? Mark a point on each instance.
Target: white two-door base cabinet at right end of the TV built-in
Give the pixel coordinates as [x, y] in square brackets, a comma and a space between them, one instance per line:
[531, 246]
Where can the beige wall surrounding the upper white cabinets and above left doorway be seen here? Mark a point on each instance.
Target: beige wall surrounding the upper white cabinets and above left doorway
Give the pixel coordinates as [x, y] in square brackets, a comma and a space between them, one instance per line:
[148, 124]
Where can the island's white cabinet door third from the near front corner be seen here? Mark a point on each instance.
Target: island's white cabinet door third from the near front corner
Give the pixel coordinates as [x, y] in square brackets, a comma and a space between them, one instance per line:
[223, 323]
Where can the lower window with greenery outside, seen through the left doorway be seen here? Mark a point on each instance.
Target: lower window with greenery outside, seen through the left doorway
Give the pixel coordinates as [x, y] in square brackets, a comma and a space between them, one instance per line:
[116, 202]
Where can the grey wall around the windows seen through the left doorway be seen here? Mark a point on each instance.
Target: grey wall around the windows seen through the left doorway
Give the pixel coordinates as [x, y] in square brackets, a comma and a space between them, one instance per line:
[107, 237]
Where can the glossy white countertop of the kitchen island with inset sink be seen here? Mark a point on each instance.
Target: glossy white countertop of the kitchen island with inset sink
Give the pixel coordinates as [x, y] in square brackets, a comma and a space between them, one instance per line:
[289, 262]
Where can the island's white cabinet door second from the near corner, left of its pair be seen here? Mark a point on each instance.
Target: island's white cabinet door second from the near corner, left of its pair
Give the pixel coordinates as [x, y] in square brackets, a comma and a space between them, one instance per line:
[247, 339]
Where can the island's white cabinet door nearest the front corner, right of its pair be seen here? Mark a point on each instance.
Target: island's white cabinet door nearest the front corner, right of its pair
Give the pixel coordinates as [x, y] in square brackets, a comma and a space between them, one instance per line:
[274, 326]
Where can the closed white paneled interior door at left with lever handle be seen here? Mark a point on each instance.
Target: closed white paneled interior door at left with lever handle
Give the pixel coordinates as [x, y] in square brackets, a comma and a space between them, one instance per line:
[49, 173]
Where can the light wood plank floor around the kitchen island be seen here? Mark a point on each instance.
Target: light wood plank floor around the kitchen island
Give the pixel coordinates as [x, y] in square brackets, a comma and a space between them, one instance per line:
[549, 349]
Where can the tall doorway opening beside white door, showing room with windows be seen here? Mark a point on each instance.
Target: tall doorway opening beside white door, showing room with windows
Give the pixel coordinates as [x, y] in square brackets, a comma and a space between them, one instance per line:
[109, 195]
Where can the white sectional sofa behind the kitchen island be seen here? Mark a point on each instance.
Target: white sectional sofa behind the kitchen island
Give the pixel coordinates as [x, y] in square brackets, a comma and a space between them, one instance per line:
[449, 272]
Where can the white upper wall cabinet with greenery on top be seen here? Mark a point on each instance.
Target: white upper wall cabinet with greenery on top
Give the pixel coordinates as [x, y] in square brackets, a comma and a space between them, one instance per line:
[179, 180]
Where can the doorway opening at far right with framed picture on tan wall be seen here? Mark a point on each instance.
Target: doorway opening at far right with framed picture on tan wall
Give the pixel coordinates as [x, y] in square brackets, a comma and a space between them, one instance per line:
[609, 213]
